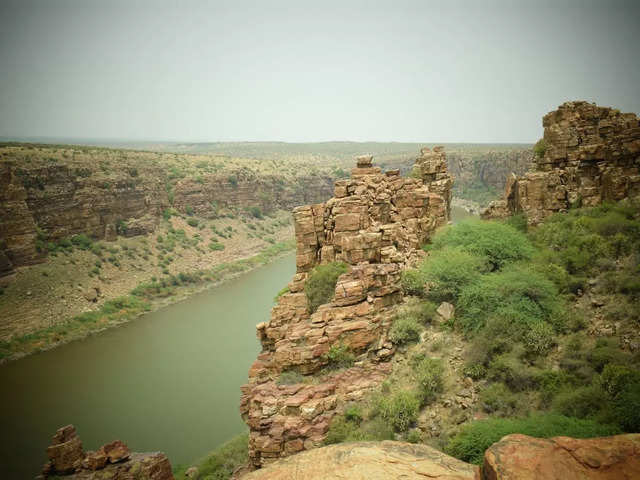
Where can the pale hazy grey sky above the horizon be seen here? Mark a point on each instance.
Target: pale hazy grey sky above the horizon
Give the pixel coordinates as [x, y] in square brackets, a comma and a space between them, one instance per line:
[305, 71]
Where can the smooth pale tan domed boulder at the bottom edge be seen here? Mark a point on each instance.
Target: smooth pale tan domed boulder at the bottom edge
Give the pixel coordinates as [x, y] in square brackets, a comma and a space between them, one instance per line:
[368, 461]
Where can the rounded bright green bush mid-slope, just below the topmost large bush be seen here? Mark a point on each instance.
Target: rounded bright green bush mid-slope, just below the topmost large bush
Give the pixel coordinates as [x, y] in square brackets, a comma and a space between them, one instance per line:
[519, 294]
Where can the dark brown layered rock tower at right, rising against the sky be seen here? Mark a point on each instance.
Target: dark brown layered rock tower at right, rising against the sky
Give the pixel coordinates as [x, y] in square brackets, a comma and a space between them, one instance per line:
[592, 156]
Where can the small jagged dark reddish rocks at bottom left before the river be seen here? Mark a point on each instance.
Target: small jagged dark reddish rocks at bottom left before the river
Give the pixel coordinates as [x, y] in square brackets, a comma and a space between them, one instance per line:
[113, 460]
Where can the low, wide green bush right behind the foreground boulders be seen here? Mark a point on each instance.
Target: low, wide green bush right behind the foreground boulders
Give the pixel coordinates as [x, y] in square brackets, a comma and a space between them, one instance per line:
[474, 438]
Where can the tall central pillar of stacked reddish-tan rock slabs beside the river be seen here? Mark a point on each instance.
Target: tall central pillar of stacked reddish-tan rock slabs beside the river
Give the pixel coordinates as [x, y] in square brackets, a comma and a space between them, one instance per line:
[375, 223]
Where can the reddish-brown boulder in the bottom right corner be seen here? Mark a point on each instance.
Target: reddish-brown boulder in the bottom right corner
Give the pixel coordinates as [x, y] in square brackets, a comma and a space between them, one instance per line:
[520, 457]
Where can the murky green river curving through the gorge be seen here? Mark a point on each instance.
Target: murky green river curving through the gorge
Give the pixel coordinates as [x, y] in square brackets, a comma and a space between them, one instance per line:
[168, 381]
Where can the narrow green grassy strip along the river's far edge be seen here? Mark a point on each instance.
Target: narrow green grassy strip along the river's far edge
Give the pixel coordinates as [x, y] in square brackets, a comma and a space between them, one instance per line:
[144, 298]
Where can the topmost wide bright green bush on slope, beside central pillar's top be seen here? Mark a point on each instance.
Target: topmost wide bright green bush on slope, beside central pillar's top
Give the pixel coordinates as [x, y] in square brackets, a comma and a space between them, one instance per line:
[499, 244]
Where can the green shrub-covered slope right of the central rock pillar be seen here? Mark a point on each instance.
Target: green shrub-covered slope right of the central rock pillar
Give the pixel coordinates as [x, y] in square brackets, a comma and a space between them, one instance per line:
[544, 340]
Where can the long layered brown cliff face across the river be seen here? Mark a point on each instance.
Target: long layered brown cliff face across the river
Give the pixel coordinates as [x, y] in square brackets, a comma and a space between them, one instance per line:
[46, 198]
